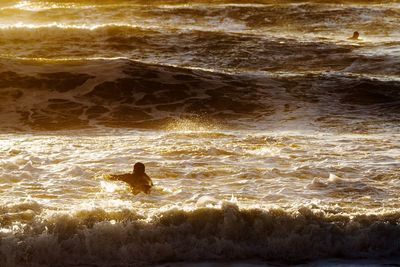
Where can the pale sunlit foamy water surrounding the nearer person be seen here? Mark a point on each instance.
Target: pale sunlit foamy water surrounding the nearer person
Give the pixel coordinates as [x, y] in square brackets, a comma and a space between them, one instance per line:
[347, 173]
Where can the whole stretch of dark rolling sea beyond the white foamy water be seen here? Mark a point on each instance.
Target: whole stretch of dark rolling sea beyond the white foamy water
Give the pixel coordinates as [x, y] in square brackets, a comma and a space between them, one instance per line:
[130, 64]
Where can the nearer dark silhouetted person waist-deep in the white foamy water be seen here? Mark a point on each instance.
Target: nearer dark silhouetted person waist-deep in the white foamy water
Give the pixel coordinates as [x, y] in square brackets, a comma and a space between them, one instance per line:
[138, 180]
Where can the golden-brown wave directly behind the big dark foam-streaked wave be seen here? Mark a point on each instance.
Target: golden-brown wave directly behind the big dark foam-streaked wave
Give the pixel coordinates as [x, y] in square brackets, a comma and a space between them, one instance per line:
[209, 49]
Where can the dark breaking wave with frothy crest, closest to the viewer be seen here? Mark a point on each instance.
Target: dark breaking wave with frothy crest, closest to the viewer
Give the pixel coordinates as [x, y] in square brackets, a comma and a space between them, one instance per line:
[126, 239]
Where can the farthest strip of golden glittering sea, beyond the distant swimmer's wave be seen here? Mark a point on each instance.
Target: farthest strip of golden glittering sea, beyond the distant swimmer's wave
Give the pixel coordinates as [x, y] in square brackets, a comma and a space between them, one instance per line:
[304, 21]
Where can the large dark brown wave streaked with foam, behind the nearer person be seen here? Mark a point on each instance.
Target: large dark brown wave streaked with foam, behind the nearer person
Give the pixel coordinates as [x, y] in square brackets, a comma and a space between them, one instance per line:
[123, 93]
